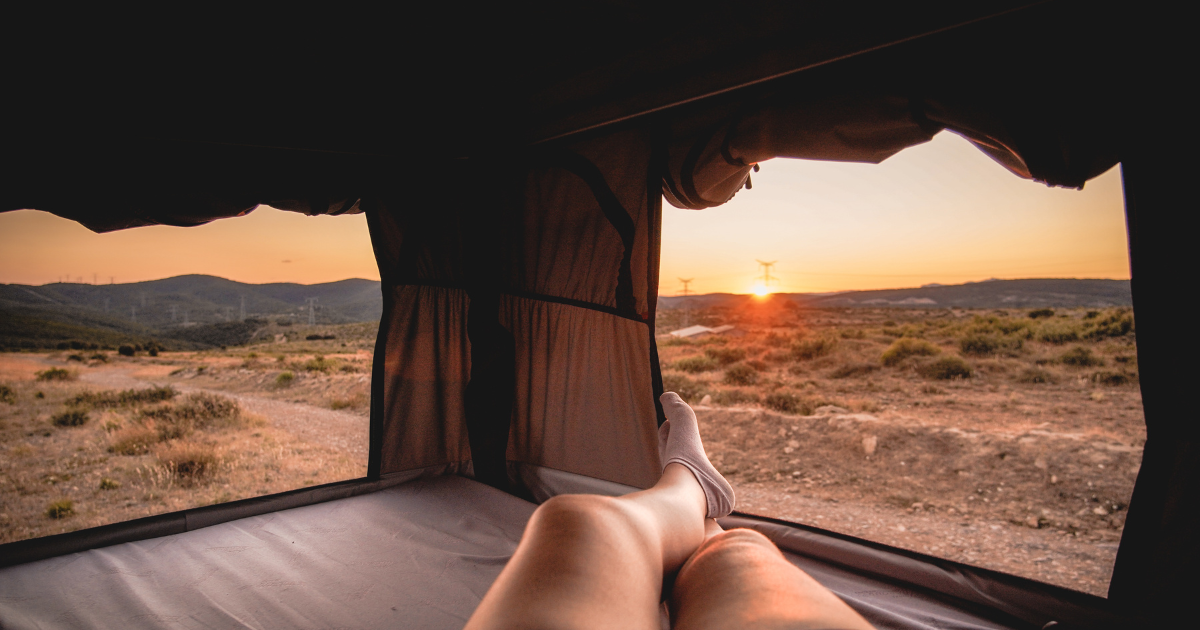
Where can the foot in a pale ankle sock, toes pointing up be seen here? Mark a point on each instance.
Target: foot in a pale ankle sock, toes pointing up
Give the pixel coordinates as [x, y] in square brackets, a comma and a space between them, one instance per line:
[680, 443]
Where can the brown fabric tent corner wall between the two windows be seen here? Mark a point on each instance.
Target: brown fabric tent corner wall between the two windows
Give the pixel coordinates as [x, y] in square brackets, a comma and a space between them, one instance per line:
[519, 316]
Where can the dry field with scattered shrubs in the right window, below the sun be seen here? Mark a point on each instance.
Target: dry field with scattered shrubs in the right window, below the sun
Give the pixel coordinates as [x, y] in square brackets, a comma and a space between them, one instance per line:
[989, 437]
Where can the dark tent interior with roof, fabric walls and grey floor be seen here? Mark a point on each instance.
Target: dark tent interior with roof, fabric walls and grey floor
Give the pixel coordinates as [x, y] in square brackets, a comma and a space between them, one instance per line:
[513, 185]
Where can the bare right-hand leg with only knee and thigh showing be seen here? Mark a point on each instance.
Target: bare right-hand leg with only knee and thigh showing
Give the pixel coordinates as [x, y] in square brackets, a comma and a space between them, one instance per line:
[740, 580]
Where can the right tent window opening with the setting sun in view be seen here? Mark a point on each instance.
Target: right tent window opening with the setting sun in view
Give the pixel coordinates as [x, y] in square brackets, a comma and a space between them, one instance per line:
[928, 353]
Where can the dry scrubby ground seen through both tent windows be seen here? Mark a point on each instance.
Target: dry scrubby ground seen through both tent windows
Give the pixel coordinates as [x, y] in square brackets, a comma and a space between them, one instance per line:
[989, 437]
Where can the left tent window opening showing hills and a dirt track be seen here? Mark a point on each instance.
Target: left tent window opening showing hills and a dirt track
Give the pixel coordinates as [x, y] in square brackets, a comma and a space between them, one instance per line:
[160, 369]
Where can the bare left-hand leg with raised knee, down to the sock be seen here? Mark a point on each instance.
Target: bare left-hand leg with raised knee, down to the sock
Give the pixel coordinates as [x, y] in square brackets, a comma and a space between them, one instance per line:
[598, 562]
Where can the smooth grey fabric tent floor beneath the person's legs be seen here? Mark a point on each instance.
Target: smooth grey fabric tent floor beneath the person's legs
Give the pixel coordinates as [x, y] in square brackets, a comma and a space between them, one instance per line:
[419, 555]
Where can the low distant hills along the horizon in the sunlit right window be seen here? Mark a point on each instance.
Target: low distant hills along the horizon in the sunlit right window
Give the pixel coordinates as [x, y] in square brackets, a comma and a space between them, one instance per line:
[989, 295]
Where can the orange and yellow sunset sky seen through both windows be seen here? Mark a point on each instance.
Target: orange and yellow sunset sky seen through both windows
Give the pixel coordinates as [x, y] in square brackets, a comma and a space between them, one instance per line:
[938, 213]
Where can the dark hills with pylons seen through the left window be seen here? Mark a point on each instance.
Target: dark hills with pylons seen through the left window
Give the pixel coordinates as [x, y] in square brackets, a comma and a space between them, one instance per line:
[184, 313]
